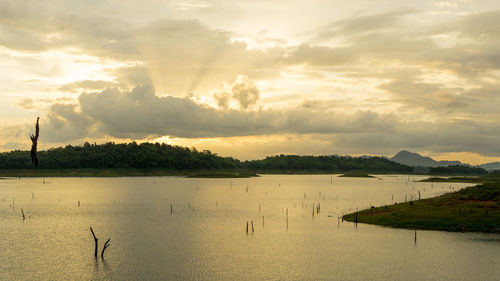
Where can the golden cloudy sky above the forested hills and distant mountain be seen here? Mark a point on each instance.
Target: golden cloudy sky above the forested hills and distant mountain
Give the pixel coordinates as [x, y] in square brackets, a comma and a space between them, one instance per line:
[254, 78]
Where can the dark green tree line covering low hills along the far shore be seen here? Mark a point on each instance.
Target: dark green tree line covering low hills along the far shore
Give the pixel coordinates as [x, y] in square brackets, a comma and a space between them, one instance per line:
[163, 156]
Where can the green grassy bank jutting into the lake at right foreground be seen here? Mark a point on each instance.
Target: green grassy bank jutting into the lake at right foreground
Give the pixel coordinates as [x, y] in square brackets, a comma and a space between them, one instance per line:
[472, 209]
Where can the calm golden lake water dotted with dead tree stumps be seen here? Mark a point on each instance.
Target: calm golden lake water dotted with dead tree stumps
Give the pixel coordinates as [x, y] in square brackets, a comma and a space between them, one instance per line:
[205, 237]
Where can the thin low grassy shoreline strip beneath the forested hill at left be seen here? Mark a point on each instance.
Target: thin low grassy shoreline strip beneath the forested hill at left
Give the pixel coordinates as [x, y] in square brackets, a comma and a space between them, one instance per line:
[125, 173]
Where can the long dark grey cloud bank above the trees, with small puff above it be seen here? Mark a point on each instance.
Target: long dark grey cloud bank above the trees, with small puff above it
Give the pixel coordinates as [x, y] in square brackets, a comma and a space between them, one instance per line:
[140, 113]
